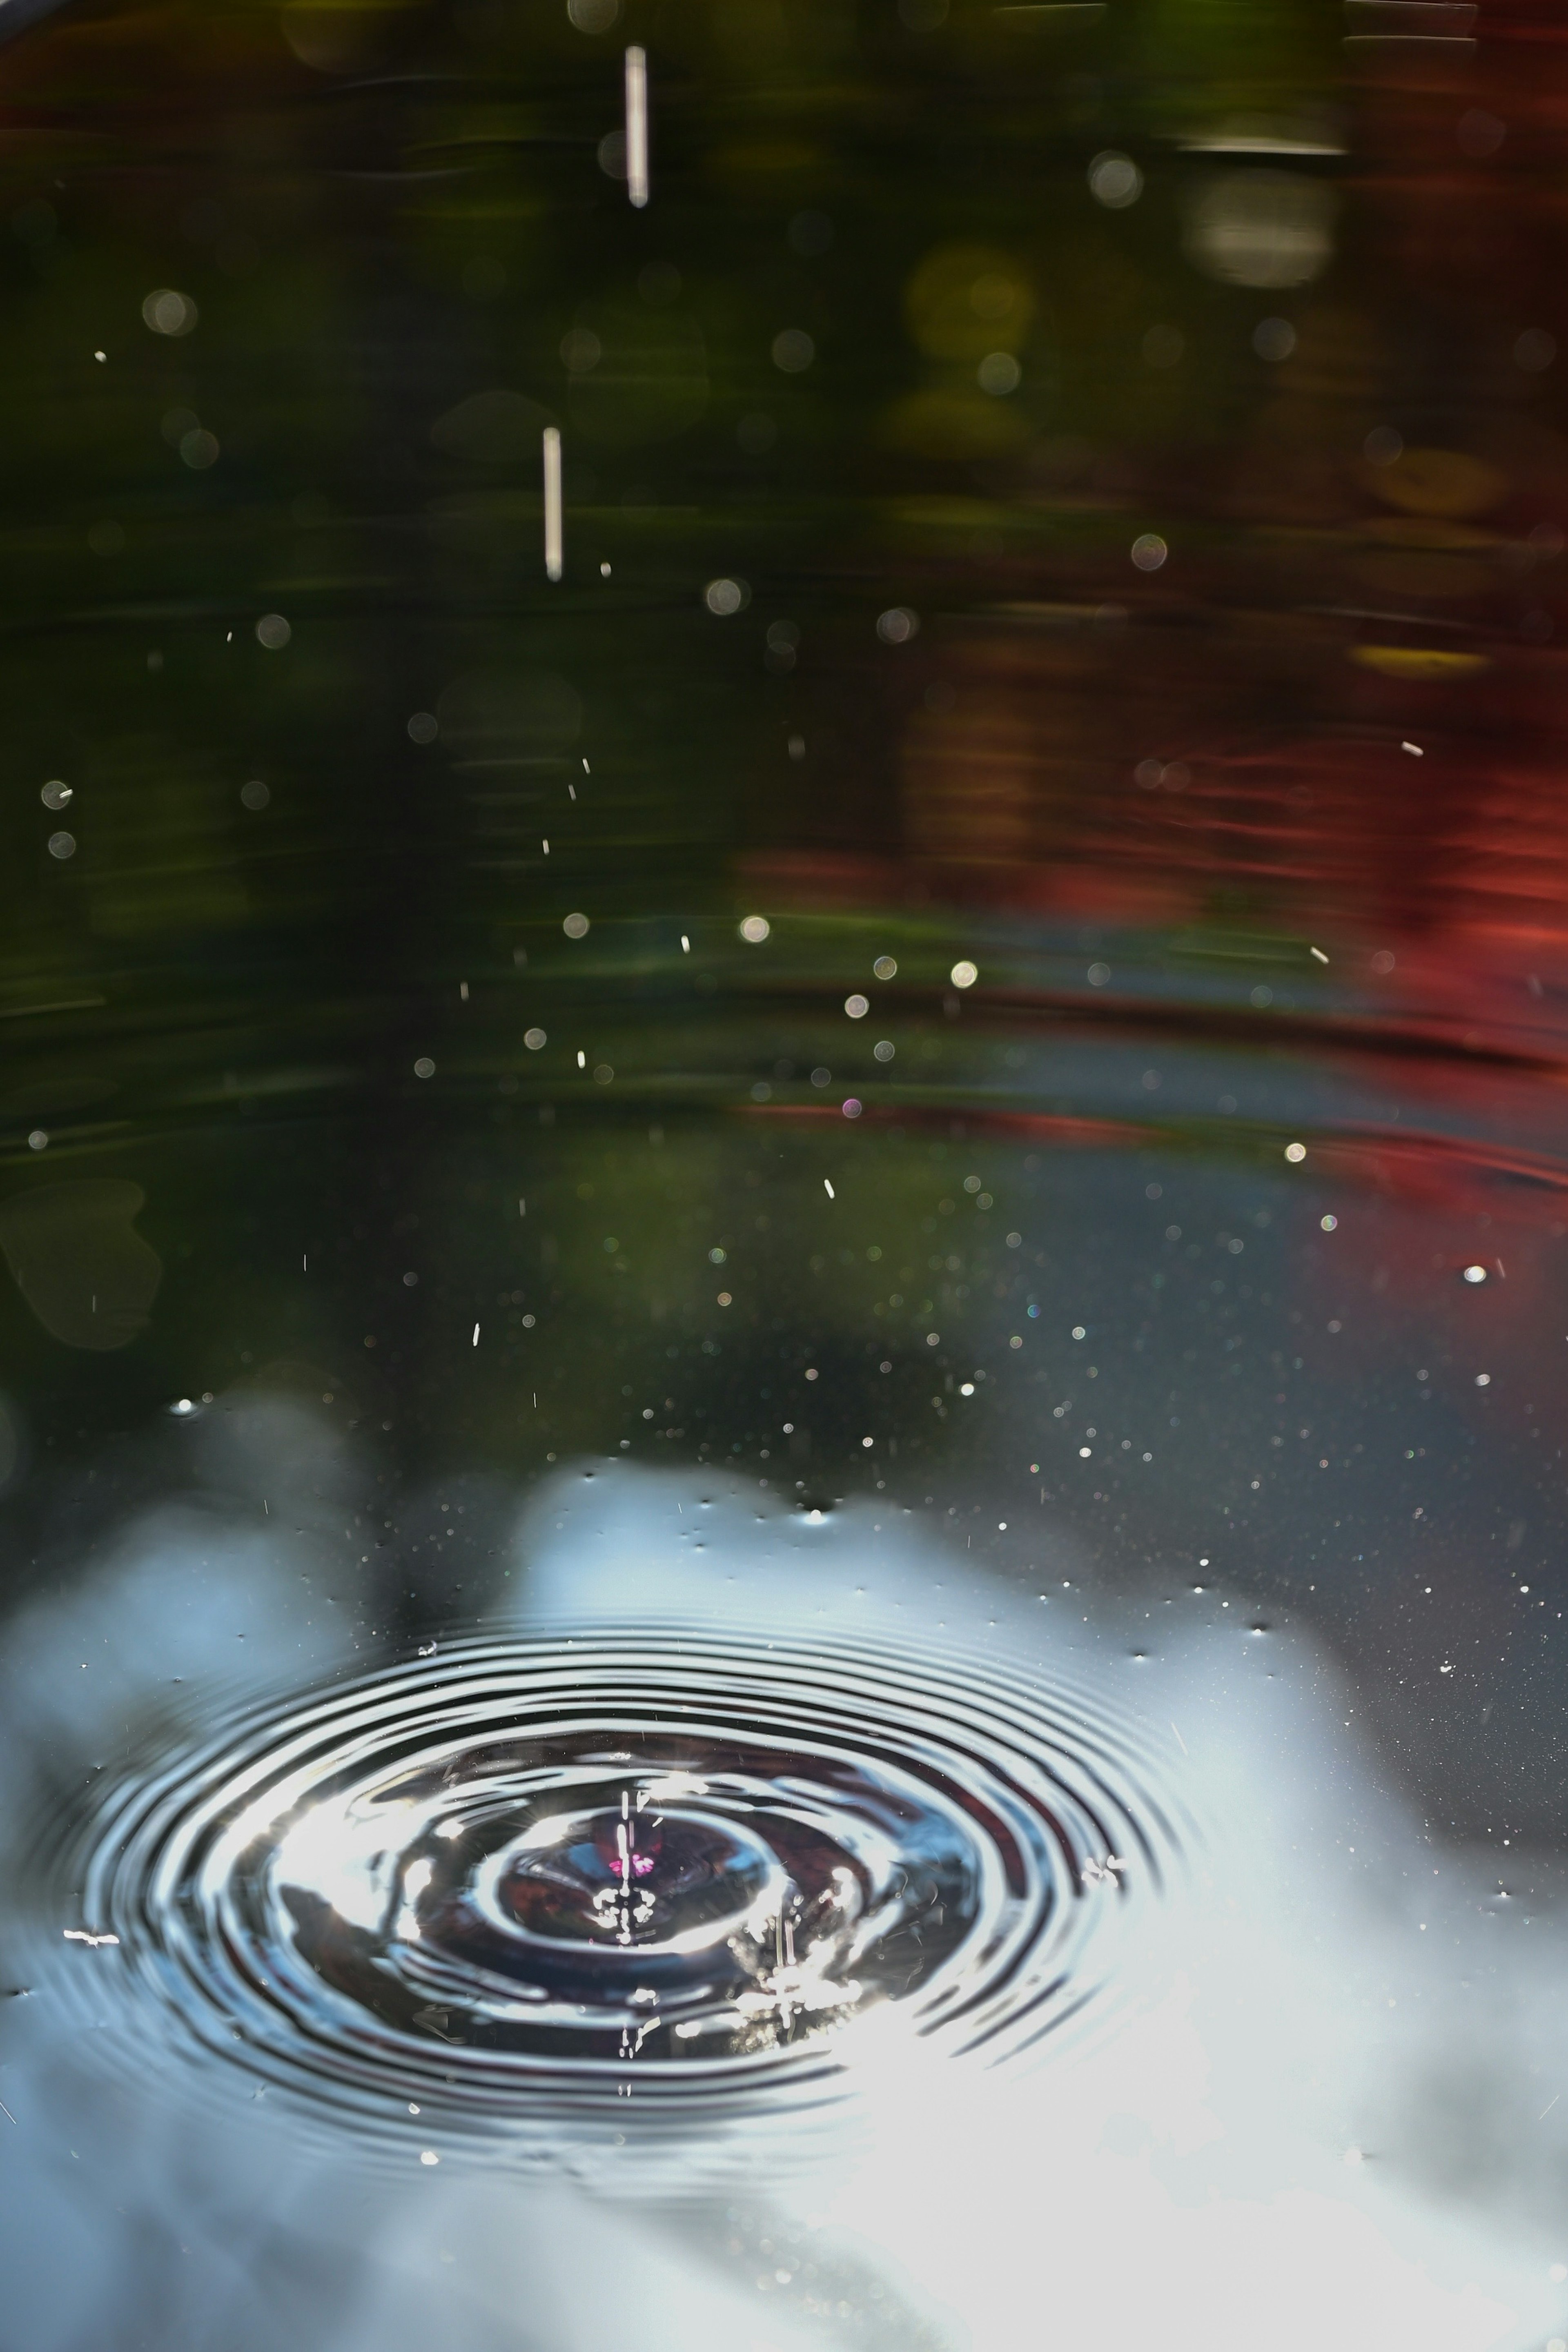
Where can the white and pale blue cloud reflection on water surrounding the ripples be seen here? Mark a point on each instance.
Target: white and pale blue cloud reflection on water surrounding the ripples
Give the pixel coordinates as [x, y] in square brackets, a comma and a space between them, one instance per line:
[1334, 1984]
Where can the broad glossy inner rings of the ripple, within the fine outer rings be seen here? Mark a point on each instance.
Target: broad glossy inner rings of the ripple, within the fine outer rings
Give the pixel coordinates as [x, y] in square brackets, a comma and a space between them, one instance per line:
[558, 1899]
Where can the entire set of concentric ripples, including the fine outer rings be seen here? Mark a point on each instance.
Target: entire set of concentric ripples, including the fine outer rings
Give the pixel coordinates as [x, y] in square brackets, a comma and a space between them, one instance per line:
[650, 1880]
